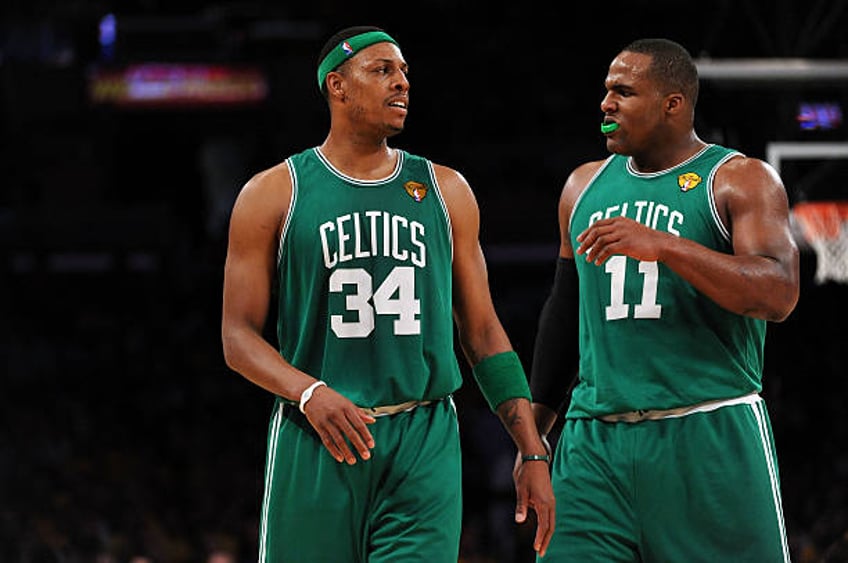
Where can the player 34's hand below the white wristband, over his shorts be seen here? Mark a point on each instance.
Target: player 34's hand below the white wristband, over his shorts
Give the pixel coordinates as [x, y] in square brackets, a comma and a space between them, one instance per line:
[339, 423]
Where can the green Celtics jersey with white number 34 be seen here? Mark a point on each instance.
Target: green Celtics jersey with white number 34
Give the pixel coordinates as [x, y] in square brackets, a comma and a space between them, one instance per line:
[364, 273]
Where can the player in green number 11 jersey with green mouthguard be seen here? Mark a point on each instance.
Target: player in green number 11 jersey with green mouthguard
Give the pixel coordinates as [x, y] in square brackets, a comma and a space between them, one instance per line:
[674, 255]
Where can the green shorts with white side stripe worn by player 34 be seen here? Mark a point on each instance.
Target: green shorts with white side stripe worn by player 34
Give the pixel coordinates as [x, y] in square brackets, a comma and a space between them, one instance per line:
[403, 504]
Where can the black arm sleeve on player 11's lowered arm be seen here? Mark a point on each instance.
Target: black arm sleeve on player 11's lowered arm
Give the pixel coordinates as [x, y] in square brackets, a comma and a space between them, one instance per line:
[556, 352]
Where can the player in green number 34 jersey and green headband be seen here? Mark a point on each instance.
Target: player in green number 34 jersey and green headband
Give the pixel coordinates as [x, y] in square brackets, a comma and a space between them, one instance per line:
[373, 252]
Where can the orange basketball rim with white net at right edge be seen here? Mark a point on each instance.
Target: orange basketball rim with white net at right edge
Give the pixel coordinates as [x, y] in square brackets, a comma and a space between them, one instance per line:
[823, 225]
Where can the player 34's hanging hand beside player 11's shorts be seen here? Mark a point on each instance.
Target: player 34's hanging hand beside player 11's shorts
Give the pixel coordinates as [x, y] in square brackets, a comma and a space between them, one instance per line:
[533, 489]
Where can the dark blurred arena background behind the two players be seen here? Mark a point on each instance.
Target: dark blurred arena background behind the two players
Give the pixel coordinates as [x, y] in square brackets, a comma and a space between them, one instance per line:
[123, 432]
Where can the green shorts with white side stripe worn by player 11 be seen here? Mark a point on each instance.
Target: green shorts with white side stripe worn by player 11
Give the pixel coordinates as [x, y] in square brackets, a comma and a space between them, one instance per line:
[701, 487]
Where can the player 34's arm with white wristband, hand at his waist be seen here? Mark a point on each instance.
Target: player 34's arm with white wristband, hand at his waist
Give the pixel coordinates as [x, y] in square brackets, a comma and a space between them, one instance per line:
[255, 226]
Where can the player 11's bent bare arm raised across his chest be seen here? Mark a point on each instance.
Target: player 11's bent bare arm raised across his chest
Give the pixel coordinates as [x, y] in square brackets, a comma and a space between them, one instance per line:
[760, 279]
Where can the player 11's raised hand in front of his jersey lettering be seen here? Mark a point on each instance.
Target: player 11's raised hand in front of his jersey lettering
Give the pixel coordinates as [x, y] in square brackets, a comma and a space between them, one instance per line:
[620, 235]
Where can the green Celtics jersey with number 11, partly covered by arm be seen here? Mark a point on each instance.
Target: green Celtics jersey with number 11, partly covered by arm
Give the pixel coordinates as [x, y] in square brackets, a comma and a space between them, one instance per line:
[648, 338]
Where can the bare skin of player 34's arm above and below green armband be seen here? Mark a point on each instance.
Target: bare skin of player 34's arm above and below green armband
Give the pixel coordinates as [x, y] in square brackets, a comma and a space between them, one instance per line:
[481, 335]
